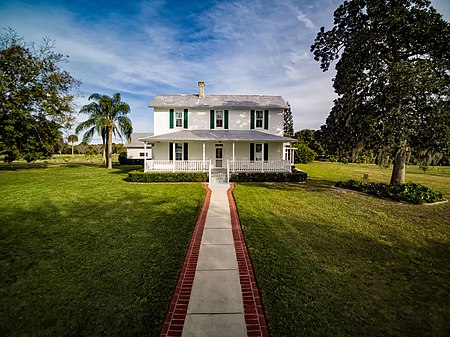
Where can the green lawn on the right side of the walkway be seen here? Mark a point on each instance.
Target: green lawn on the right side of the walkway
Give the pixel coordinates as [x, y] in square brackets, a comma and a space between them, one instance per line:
[337, 263]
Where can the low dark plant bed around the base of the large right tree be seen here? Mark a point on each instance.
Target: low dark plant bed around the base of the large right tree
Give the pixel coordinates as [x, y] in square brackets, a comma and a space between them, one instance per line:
[410, 192]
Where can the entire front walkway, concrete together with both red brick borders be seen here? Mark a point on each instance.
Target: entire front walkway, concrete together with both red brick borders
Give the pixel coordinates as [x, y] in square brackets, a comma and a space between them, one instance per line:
[216, 293]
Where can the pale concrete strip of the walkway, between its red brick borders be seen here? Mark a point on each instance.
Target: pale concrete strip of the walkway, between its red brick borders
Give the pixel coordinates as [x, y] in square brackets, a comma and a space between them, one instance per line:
[216, 306]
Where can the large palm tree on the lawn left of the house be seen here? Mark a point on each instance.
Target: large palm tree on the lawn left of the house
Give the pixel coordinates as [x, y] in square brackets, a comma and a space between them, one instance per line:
[107, 118]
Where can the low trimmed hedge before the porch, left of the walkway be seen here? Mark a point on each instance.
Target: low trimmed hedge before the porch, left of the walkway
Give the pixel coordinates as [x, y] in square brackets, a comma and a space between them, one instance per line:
[165, 177]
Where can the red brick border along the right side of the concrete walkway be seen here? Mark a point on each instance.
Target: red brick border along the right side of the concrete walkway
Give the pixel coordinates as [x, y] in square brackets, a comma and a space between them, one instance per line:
[253, 311]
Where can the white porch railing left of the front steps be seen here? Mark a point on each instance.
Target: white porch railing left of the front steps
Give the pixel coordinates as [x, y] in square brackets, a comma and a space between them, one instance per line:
[177, 165]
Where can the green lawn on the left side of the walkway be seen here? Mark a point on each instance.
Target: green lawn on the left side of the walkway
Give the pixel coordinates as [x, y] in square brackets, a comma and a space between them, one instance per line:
[83, 253]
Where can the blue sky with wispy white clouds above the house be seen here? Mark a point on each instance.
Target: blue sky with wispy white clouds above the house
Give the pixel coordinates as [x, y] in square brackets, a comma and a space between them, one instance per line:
[142, 48]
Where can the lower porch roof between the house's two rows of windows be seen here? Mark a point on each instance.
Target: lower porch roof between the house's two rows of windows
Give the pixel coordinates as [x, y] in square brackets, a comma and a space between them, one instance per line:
[217, 135]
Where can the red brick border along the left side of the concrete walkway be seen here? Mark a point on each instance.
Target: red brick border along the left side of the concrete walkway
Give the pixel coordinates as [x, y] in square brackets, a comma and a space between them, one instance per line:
[176, 314]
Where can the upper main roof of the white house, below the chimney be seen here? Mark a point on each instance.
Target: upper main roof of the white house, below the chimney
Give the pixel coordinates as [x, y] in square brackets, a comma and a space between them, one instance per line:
[219, 101]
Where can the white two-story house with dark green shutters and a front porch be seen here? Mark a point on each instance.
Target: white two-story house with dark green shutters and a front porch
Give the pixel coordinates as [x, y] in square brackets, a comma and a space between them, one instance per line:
[241, 133]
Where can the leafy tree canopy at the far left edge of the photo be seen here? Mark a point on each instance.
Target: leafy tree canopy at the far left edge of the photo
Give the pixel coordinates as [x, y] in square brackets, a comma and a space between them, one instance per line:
[36, 100]
